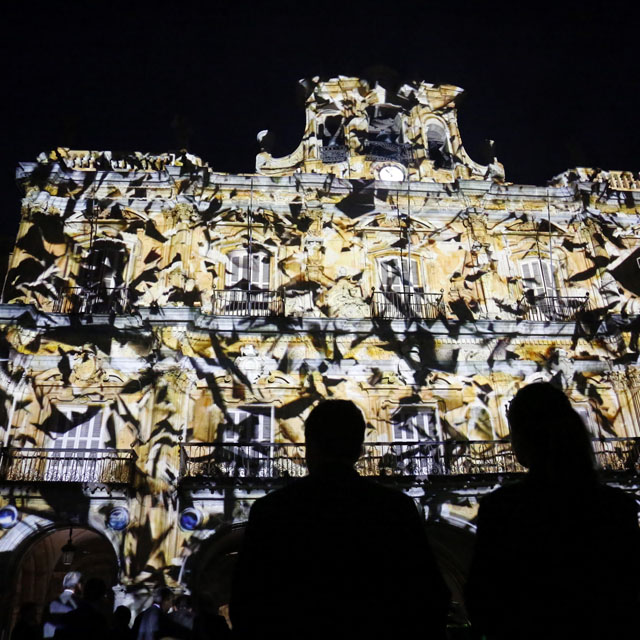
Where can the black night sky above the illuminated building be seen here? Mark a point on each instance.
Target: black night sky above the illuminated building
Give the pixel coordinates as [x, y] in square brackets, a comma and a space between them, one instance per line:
[554, 87]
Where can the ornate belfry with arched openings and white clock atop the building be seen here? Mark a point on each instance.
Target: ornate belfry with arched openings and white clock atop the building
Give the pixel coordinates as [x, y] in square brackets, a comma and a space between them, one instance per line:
[357, 131]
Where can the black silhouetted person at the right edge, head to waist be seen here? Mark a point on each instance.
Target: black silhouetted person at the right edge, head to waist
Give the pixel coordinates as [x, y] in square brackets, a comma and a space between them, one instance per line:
[557, 554]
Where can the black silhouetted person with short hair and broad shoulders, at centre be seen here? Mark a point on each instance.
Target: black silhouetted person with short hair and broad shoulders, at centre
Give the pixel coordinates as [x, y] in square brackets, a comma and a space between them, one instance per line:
[334, 554]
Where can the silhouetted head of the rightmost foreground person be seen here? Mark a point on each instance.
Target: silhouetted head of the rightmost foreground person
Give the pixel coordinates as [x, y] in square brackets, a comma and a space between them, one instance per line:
[548, 435]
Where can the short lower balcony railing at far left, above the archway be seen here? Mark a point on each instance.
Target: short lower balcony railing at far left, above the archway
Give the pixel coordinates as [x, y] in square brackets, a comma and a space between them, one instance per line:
[99, 466]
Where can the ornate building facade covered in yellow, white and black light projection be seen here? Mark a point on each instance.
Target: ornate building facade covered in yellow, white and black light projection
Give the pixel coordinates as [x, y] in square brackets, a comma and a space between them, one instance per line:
[167, 327]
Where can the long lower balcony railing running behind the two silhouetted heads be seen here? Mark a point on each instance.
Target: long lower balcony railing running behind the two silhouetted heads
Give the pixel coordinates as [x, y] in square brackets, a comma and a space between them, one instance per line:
[224, 461]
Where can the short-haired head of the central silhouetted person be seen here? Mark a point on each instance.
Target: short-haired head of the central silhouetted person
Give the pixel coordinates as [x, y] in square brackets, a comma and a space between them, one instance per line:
[334, 433]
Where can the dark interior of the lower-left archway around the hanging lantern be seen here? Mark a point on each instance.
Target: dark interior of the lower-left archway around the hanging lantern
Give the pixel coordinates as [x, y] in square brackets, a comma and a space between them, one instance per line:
[40, 568]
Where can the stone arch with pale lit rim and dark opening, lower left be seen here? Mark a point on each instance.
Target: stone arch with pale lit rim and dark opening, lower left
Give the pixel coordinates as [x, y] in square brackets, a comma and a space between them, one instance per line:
[33, 565]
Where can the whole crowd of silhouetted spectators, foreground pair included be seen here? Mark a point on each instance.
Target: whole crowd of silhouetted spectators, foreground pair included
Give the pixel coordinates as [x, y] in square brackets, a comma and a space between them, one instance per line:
[337, 555]
